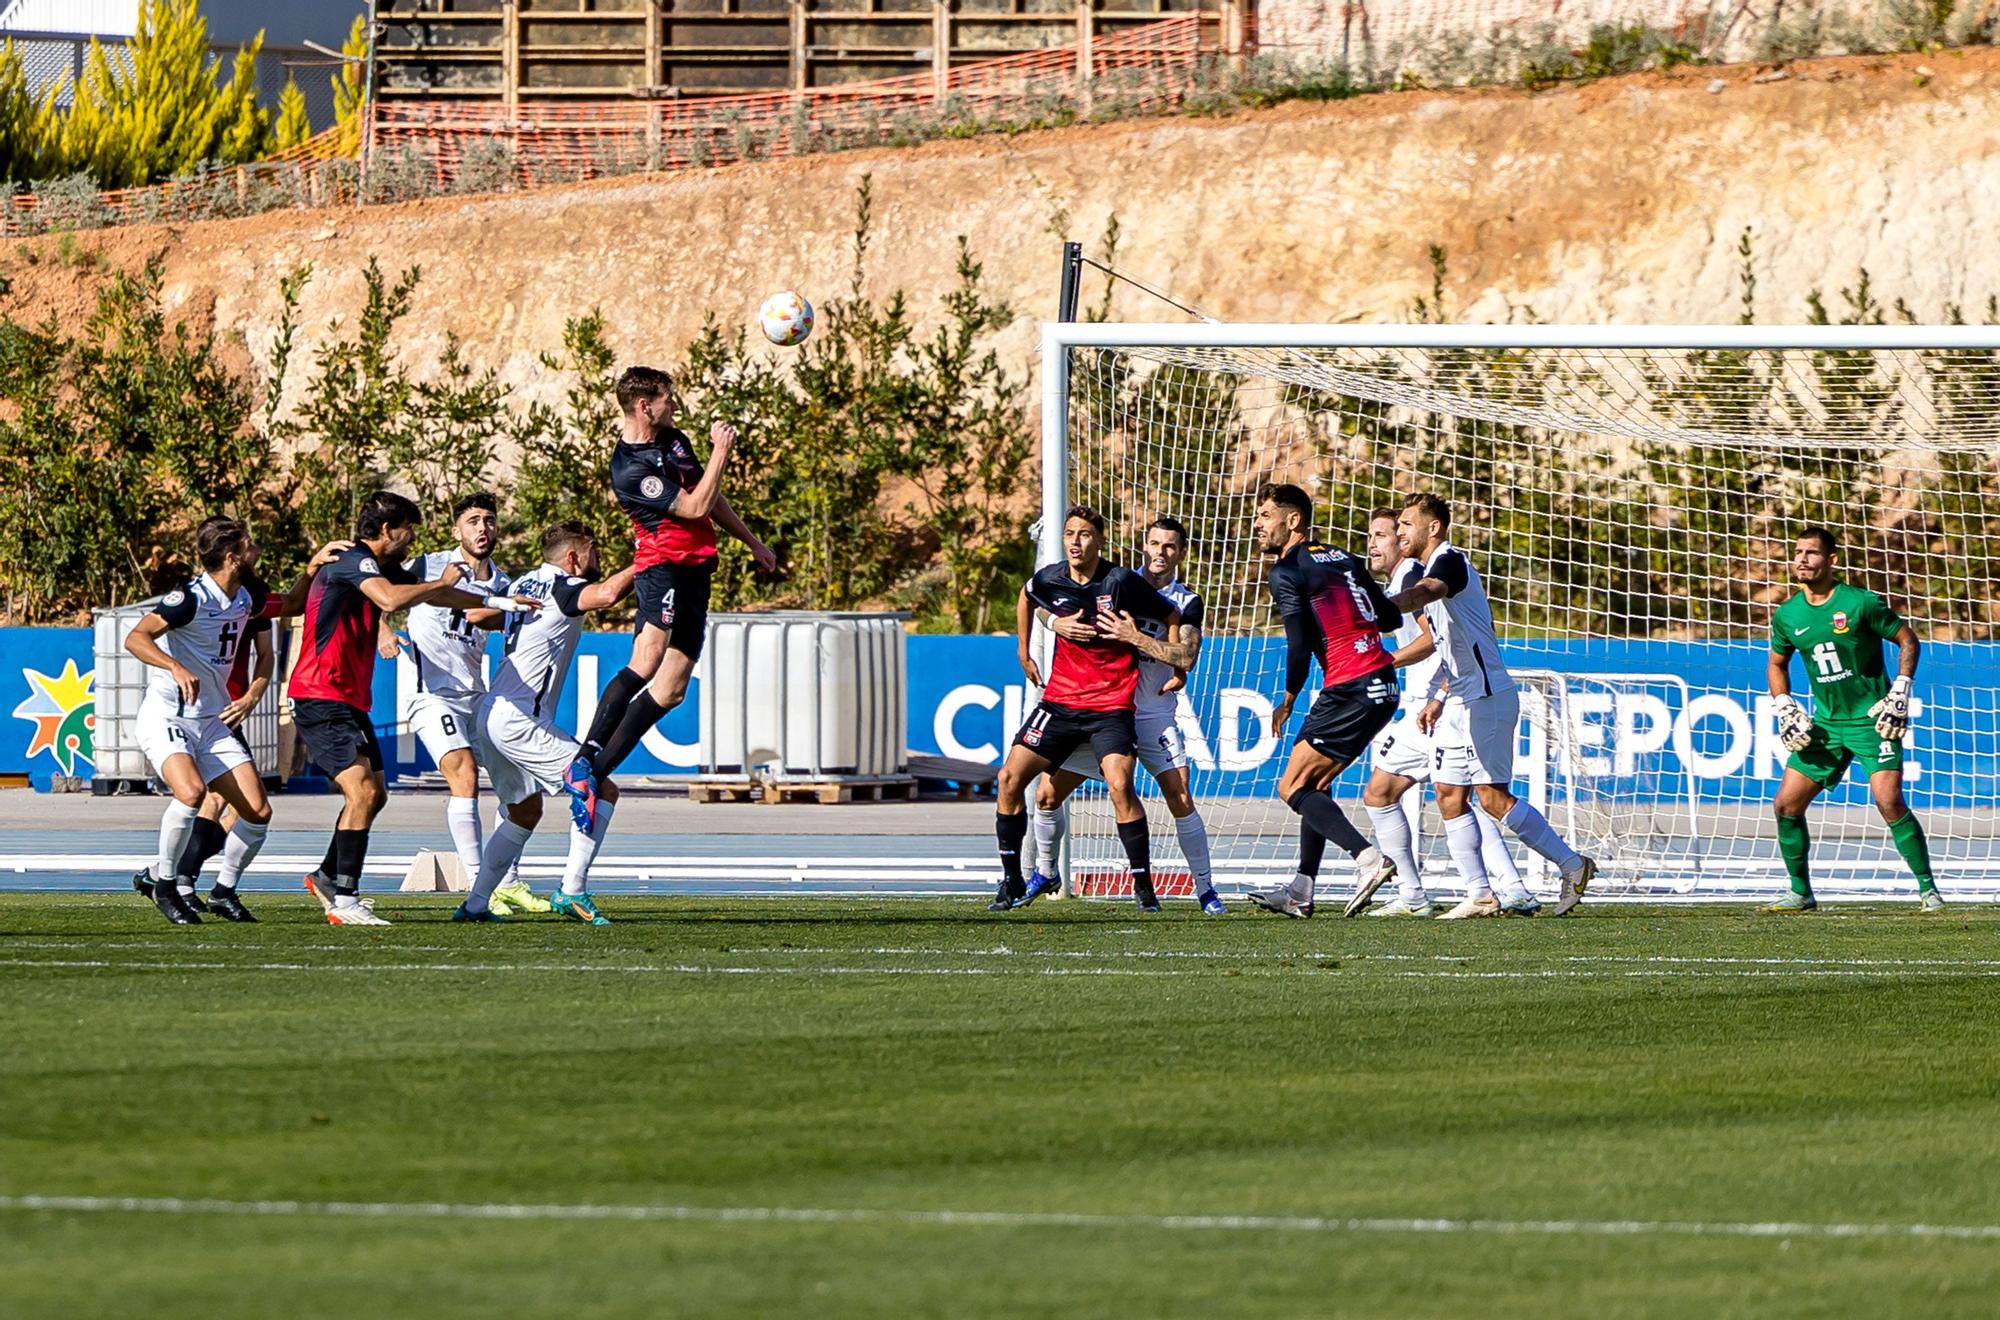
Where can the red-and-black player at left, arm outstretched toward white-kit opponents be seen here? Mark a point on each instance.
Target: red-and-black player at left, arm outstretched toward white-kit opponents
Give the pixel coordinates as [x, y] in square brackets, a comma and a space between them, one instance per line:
[333, 683]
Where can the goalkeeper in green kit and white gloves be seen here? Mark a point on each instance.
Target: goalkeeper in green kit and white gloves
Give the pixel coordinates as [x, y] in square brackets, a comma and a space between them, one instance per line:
[1857, 711]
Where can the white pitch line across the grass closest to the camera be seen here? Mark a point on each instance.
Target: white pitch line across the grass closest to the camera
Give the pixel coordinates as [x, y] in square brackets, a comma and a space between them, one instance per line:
[989, 1219]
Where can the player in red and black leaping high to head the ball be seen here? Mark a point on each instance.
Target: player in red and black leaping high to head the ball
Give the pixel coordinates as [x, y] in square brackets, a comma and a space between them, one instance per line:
[675, 505]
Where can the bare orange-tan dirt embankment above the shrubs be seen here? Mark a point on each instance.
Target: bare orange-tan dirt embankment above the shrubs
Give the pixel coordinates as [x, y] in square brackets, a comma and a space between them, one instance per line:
[1617, 201]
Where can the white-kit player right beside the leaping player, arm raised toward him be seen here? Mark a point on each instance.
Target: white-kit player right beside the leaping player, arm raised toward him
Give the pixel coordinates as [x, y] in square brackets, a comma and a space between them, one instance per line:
[521, 747]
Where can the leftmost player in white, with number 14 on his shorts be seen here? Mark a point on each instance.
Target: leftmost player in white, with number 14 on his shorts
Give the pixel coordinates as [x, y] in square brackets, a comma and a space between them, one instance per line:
[189, 643]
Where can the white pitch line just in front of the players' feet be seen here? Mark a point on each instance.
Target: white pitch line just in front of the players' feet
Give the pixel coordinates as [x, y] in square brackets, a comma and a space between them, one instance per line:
[699, 969]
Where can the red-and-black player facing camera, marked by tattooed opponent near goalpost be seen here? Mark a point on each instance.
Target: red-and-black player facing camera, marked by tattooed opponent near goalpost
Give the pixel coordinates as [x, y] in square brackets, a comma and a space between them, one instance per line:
[1089, 697]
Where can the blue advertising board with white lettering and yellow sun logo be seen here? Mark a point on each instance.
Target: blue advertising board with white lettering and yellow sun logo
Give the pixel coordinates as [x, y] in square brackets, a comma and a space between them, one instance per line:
[1675, 717]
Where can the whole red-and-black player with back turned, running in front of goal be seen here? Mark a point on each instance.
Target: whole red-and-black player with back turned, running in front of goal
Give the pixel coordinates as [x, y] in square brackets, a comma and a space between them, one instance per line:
[1333, 613]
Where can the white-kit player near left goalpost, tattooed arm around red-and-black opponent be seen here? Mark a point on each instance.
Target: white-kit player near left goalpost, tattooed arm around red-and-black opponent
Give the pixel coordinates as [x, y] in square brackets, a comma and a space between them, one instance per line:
[1163, 673]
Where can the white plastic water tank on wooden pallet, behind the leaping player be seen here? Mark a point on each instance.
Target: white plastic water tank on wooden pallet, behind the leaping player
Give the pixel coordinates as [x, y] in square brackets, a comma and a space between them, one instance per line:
[823, 693]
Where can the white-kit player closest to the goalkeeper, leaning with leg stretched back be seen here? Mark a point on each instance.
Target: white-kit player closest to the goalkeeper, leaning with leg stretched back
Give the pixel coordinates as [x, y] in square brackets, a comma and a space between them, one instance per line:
[1473, 711]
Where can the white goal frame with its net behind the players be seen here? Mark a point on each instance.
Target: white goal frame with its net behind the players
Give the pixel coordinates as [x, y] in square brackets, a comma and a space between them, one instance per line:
[1631, 499]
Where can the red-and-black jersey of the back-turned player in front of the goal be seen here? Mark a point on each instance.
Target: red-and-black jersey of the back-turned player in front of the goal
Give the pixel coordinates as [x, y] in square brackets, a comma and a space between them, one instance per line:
[1333, 609]
